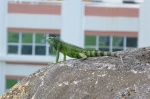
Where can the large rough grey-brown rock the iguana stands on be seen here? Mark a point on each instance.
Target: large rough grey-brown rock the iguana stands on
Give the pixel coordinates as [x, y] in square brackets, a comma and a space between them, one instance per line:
[124, 77]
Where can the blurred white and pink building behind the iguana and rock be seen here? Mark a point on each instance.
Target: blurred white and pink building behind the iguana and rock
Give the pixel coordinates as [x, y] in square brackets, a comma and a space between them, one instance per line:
[108, 25]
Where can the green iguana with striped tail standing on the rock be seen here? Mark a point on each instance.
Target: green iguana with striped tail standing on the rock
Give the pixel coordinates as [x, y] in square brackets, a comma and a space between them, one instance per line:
[74, 51]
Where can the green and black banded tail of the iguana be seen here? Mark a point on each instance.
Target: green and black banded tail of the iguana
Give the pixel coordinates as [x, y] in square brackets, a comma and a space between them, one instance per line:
[93, 53]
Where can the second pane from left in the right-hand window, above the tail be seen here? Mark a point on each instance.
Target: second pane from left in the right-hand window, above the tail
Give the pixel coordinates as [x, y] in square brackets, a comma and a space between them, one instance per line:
[104, 41]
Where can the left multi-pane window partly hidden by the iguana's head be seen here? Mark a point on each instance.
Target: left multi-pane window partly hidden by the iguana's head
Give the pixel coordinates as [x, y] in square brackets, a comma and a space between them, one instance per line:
[29, 44]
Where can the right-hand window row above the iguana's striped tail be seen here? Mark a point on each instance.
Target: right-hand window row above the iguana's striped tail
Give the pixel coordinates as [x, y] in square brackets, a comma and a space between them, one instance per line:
[109, 43]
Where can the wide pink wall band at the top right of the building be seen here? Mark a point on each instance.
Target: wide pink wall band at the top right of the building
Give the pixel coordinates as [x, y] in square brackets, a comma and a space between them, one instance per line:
[111, 11]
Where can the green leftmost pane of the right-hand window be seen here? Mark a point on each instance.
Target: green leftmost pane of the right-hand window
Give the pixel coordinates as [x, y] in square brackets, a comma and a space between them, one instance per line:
[90, 40]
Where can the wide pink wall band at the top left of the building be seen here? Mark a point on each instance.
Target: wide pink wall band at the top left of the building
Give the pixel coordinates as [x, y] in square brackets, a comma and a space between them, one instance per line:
[53, 9]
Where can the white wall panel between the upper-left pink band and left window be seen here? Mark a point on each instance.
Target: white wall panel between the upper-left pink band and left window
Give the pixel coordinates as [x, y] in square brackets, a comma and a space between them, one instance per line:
[34, 21]
